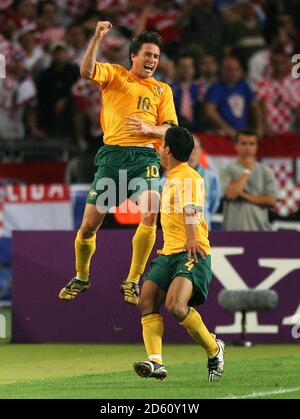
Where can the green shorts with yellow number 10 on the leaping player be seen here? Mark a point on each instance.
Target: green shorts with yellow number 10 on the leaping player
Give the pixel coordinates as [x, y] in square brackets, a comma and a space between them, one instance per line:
[123, 172]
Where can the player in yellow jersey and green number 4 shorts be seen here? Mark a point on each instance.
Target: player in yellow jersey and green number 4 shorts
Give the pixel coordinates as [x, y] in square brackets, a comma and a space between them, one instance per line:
[180, 276]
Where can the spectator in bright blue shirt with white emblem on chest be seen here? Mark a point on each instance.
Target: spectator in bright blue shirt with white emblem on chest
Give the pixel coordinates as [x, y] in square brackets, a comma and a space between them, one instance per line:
[230, 101]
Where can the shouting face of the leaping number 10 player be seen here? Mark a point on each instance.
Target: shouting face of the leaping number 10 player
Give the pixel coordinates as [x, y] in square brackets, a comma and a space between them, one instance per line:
[144, 63]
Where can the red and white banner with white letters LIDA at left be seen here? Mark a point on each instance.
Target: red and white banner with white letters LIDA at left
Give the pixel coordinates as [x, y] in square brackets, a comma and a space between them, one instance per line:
[35, 207]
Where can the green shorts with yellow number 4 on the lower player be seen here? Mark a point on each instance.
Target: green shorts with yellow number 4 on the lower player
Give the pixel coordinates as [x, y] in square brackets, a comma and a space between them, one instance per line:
[167, 267]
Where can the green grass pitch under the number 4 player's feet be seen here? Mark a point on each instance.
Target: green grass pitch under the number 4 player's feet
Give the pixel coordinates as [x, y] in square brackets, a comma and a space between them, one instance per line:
[101, 371]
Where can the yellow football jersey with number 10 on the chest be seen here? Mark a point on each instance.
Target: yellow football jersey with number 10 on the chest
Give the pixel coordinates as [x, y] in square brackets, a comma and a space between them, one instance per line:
[124, 94]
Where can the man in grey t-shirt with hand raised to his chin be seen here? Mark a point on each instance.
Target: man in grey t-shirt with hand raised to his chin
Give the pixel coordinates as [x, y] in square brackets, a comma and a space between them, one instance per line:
[248, 188]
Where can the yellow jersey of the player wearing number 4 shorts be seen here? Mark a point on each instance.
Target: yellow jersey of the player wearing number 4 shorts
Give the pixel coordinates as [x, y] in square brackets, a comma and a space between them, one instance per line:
[183, 187]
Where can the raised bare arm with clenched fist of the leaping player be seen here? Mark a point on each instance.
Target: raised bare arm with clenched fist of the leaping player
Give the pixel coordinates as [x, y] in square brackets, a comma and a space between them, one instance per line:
[89, 59]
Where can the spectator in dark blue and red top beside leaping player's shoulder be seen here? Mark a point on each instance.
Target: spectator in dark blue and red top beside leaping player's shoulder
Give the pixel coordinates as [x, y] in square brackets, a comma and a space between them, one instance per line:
[186, 93]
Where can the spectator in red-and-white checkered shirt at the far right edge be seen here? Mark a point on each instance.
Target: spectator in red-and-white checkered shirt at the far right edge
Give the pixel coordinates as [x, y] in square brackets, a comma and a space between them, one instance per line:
[279, 96]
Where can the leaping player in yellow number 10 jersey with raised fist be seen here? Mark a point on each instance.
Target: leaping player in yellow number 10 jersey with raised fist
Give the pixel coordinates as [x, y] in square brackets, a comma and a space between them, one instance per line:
[136, 112]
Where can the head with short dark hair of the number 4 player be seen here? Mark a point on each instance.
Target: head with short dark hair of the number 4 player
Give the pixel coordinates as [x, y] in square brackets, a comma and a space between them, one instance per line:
[180, 141]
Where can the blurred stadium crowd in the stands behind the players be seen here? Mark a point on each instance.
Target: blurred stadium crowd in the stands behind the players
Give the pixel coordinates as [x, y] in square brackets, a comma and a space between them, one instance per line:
[228, 63]
